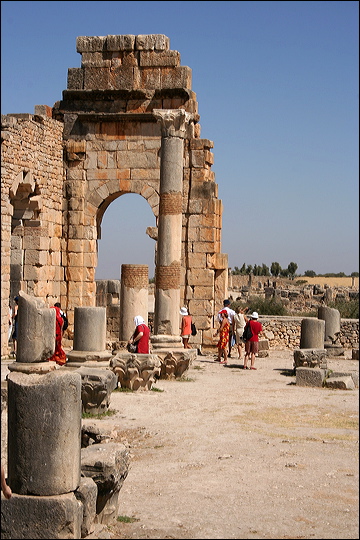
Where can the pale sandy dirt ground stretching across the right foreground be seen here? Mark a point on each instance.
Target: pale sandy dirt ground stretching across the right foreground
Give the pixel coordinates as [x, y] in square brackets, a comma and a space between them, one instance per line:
[229, 453]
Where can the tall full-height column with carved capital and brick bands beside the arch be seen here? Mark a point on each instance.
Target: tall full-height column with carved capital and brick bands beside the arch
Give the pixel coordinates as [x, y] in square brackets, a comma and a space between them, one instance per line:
[168, 263]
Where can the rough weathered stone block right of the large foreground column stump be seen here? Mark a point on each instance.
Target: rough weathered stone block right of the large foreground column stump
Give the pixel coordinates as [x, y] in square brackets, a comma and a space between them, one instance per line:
[108, 465]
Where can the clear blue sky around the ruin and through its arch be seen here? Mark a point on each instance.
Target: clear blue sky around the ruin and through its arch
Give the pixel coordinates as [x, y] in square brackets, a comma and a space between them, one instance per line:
[278, 90]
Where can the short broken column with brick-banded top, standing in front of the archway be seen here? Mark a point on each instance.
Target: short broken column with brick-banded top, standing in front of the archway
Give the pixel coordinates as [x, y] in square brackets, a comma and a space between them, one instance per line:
[134, 297]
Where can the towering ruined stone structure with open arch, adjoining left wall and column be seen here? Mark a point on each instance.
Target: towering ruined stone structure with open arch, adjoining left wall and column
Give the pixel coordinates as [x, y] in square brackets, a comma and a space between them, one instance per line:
[128, 122]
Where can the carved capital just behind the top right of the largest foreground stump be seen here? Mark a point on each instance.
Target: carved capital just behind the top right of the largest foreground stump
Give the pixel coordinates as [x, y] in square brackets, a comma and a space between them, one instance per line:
[96, 388]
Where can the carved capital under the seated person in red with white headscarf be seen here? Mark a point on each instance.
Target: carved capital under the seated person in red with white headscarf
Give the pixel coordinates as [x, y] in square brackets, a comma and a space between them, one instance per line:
[136, 371]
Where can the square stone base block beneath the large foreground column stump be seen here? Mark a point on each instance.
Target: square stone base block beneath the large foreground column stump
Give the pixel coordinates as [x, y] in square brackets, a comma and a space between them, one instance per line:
[29, 516]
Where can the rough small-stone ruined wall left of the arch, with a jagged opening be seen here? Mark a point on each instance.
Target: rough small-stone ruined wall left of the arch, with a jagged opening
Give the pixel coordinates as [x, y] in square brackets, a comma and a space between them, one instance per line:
[32, 177]
